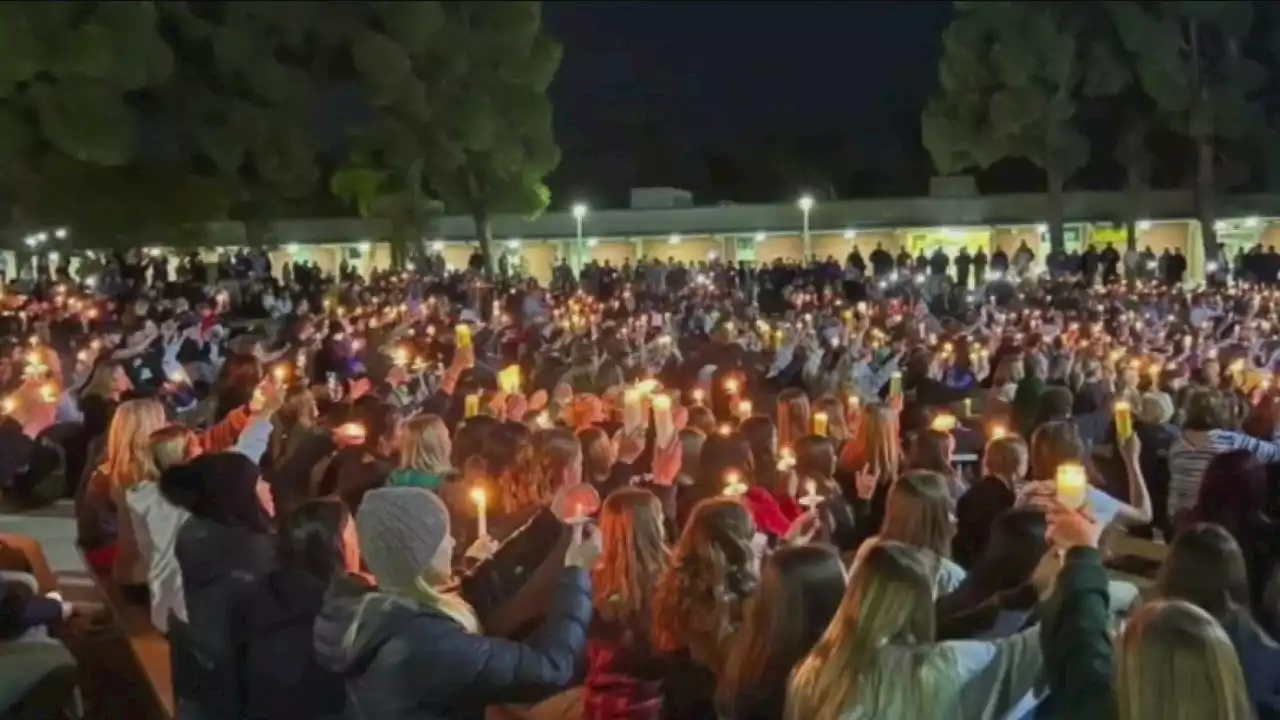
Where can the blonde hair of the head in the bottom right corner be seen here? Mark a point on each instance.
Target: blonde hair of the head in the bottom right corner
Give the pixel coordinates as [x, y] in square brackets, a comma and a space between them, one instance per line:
[1177, 663]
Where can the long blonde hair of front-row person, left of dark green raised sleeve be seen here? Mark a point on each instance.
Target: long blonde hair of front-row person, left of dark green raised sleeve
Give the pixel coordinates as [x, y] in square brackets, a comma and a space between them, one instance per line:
[889, 601]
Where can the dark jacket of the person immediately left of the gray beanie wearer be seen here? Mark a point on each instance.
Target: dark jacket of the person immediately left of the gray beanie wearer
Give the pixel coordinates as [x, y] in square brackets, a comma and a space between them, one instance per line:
[282, 680]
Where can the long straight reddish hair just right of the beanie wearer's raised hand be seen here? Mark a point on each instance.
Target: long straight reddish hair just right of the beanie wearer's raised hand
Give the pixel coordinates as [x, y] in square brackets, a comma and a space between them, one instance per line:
[633, 560]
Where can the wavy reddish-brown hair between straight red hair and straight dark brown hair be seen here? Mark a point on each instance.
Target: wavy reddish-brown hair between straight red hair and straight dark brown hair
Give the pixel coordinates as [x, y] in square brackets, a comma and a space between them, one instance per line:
[712, 572]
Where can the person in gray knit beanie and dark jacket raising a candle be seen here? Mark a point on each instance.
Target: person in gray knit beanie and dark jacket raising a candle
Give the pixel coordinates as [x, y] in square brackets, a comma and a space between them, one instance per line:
[412, 646]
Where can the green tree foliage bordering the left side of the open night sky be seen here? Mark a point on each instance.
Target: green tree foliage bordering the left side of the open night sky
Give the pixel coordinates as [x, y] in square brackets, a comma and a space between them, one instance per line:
[461, 88]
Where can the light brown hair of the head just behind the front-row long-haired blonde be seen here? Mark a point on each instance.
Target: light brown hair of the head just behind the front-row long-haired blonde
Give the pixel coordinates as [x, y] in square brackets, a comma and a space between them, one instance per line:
[918, 513]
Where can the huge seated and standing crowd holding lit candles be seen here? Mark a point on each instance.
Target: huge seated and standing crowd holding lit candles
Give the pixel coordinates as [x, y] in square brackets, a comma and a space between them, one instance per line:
[664, 493]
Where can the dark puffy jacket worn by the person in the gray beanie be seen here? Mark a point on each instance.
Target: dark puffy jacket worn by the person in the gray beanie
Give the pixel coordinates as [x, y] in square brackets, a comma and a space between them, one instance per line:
[406, 662]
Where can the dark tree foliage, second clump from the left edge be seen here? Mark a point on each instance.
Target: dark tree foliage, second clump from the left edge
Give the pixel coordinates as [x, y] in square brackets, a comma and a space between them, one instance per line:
[245, 97]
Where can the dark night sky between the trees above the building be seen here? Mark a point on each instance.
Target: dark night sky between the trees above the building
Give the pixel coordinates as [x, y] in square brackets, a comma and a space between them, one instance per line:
[648, 92]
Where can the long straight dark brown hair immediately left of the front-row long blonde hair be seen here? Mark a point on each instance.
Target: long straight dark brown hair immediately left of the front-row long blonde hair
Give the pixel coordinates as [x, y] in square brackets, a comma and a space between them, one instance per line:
[801, 590]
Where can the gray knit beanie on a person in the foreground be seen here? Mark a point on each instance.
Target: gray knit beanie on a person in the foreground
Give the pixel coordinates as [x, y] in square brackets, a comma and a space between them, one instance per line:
[400, 530]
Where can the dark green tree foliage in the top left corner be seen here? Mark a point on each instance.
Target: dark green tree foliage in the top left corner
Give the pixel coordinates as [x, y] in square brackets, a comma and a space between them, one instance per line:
[66, 71]
